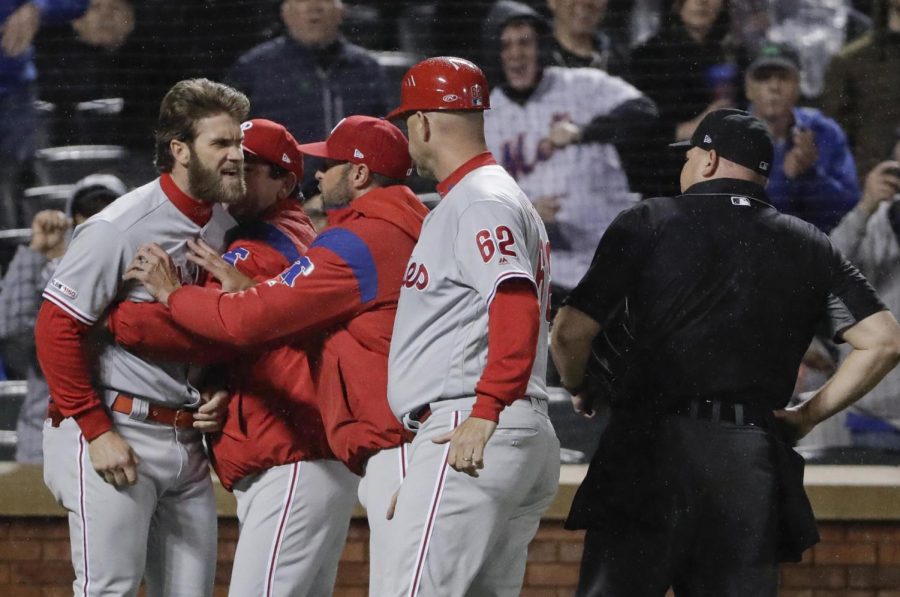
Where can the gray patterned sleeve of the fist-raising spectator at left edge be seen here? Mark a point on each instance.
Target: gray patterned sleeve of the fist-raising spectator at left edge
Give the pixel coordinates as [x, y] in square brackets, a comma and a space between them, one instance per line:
[20, 296]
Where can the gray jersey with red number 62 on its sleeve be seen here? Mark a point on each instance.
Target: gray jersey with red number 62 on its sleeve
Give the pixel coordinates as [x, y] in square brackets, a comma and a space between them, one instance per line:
[484, 231]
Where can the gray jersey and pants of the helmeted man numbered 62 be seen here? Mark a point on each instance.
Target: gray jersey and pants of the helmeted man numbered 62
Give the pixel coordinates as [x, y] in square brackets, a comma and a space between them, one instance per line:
[452, 533]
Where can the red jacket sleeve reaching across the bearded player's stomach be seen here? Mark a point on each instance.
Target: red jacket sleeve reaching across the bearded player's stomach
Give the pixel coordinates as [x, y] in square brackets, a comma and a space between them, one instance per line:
[148, 329]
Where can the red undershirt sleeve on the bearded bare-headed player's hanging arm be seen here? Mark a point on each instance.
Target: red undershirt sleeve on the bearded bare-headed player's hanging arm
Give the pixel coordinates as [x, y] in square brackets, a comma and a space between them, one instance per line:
[60, 349]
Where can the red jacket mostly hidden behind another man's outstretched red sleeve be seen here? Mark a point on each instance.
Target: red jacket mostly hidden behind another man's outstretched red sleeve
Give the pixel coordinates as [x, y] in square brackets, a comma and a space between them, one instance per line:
[273, 417]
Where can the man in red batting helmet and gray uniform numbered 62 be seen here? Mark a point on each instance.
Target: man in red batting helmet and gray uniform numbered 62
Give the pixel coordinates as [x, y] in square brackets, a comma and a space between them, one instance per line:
[468, 356]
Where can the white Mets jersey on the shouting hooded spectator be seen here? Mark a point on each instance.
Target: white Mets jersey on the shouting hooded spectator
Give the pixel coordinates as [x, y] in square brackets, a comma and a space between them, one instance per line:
[586, 179]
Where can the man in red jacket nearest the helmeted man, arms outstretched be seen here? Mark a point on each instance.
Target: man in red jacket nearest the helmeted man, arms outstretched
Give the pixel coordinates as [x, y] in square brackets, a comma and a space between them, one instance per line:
[339, 299]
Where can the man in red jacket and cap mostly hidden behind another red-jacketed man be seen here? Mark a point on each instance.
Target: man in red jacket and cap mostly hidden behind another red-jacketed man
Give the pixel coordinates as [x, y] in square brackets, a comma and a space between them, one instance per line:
[294, 500]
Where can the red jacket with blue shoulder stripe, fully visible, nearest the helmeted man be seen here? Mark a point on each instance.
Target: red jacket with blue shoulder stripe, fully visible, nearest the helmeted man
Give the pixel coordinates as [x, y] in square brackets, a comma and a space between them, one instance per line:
[345, 290]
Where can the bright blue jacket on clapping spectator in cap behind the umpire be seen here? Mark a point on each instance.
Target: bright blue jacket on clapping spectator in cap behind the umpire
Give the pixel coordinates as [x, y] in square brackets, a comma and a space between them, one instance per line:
[830, 188]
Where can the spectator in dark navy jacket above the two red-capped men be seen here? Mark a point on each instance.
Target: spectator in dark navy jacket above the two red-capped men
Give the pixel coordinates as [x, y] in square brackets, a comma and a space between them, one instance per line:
[310, 78]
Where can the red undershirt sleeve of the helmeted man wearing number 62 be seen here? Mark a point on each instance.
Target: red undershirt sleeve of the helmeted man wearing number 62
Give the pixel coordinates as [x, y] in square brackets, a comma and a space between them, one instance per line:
[513, 327]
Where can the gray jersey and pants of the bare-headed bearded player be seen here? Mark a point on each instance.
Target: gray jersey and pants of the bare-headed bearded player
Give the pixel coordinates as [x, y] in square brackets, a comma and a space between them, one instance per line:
[164, 526]
